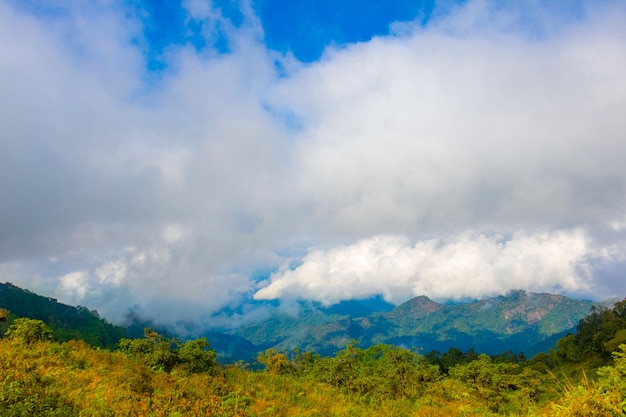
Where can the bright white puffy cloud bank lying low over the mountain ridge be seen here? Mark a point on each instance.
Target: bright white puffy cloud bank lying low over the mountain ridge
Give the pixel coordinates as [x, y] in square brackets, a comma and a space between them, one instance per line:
[468, 265]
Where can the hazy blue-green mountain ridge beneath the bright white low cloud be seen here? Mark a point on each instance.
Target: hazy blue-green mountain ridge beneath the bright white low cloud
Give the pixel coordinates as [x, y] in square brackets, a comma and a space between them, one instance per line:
[520, 321]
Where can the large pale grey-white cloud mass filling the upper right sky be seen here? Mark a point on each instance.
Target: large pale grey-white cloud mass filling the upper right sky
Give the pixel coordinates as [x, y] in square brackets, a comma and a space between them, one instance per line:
[435, 131]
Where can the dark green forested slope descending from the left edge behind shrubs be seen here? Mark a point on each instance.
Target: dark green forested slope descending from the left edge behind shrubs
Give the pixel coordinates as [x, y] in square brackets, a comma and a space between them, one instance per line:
[67, 322]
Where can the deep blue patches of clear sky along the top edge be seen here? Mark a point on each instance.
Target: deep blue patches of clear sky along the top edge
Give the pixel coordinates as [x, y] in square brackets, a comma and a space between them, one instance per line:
[304, 28]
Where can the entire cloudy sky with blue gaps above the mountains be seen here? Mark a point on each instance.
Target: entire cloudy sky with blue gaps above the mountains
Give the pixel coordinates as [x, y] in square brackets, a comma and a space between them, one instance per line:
[179, 159]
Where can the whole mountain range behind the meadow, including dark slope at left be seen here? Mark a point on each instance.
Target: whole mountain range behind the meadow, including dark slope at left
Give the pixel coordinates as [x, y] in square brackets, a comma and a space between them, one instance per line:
[519, 321]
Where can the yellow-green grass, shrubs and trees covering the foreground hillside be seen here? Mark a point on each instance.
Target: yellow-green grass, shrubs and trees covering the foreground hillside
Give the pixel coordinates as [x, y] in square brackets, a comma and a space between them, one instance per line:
[156, 375]
